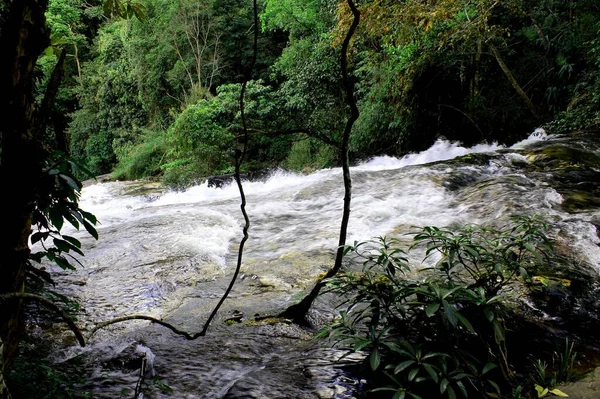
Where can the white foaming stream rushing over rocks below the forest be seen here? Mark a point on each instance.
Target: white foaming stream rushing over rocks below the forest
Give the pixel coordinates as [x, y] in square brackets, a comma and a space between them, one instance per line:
[170, 255]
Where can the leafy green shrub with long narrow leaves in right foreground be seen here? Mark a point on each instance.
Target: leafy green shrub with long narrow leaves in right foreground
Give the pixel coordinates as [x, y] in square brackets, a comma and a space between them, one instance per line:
[439, 332]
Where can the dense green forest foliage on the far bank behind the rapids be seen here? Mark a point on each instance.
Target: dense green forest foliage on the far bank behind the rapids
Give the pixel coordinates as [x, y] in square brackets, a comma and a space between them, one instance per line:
[471, 71]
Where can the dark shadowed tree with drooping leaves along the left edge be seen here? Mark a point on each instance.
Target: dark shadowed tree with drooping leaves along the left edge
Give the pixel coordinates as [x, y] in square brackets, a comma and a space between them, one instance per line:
[27, 164]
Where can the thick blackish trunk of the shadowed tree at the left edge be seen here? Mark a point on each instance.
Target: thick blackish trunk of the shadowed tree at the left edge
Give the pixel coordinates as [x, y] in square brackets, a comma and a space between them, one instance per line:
[23, 37]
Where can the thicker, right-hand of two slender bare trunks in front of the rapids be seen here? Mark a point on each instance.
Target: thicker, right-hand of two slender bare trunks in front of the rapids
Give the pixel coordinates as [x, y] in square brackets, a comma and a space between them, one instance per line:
[298, 311]
